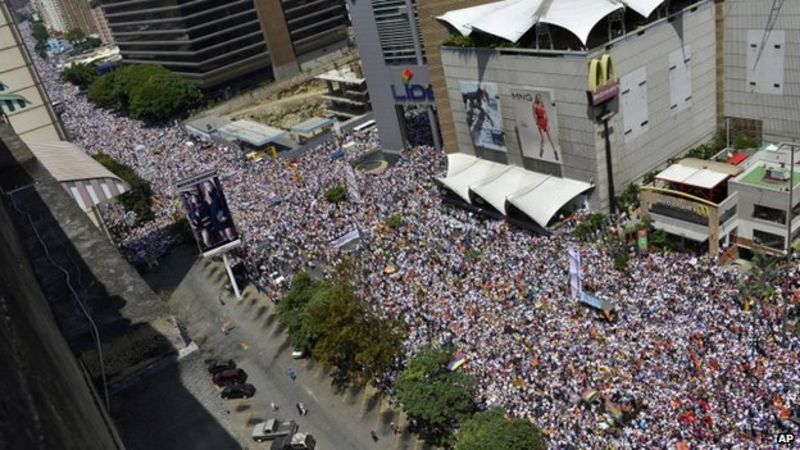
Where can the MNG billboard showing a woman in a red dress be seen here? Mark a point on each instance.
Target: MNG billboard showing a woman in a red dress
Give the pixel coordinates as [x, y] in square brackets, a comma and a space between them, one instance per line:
[537, 123]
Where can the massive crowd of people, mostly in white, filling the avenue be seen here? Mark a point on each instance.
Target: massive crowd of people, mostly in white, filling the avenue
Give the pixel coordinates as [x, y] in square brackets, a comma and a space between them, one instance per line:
[698, 368]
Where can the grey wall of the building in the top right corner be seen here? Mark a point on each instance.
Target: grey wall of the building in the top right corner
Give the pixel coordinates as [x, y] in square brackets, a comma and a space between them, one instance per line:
[778, 111]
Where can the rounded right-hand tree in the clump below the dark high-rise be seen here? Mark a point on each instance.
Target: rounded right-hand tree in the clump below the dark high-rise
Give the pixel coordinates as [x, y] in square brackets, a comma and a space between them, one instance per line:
[162, 96]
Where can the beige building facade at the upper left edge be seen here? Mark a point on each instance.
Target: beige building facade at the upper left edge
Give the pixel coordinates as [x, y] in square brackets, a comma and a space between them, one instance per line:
[37, 122]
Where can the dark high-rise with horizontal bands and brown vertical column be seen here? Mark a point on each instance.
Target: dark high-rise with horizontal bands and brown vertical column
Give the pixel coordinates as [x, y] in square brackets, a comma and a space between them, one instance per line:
[212, 41]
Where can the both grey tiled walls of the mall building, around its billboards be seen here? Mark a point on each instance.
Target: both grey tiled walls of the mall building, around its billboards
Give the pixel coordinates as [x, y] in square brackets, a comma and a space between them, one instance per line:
[669, 132]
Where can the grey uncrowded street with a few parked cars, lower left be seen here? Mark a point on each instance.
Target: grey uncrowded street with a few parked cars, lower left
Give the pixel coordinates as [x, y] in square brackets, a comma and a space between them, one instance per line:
[256, 342]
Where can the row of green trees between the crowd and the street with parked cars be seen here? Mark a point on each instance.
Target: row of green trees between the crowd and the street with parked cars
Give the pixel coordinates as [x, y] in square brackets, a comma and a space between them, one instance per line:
[328, 320]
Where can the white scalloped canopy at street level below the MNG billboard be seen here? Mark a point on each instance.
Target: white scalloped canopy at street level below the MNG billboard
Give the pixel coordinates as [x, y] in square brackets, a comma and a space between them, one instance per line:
[537, 195]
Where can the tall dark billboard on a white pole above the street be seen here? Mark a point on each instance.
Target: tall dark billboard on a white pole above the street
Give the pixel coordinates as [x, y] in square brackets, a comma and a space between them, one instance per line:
[208, 214]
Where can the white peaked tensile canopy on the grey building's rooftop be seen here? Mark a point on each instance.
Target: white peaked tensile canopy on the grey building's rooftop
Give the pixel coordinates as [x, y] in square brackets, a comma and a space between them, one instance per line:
[510, 19]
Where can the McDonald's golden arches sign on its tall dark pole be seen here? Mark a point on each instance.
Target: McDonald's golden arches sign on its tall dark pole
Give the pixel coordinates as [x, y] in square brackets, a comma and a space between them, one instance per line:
[604, 87]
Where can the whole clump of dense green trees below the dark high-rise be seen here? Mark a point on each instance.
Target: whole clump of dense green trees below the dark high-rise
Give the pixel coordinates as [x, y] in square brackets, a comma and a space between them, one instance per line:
[146, 92]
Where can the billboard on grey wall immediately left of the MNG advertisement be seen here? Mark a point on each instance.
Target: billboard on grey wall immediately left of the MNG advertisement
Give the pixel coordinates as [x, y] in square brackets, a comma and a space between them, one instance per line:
[484, 119]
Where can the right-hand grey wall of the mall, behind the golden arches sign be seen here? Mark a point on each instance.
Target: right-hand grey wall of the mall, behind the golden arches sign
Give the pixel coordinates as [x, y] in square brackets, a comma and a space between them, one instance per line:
[669, 133]
